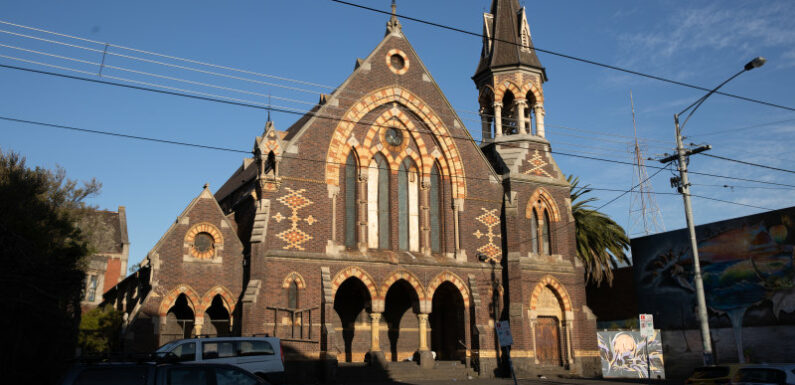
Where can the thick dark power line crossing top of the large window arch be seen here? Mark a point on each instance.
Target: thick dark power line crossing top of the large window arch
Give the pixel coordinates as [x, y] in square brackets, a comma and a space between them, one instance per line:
[288, 111]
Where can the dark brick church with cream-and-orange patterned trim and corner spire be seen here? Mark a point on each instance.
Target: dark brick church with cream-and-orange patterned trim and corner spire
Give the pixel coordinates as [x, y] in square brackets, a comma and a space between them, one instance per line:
[376, 229]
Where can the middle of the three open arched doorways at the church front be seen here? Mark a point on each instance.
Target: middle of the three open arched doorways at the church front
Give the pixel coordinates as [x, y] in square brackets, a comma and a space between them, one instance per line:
[400, 313]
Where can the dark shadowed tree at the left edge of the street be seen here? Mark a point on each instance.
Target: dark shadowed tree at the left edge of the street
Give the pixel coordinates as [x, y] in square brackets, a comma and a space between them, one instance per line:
[42, 252]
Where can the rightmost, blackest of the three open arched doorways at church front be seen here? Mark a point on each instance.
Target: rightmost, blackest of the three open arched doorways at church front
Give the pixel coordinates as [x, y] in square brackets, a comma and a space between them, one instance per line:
[448, 333]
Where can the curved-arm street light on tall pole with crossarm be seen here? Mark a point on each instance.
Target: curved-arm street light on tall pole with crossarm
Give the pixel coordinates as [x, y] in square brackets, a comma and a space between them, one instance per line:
[684, 189]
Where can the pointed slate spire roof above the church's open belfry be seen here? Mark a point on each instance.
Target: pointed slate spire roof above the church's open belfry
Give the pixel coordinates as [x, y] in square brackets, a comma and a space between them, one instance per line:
[506, 50]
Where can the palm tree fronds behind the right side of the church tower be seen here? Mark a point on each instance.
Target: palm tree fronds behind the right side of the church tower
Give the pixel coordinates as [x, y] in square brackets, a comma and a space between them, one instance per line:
[601, 242]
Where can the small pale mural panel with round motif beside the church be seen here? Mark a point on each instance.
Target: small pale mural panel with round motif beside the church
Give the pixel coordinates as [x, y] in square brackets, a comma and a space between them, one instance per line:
[625, 354]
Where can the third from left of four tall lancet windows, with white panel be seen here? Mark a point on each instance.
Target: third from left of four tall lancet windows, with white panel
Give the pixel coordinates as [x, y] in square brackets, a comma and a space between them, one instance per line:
[408, 206]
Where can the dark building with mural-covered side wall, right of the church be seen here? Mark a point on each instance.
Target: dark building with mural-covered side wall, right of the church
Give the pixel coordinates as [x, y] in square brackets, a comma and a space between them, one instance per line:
[749, 285]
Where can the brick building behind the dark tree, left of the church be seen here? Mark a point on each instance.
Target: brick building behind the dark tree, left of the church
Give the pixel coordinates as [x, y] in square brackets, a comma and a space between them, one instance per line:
[107, 266]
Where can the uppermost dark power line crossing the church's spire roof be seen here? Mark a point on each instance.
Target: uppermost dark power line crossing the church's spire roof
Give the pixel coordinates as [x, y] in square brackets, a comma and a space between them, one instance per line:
[570, 57]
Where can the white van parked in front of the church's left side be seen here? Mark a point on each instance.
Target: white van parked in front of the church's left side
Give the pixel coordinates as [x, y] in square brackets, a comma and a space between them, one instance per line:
[262, 356]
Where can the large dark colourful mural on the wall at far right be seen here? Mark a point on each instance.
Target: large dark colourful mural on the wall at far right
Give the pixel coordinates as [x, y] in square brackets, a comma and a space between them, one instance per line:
[748, 273]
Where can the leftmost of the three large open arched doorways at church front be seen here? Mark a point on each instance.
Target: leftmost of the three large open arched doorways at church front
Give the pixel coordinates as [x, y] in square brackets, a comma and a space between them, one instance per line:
[352, 303]
